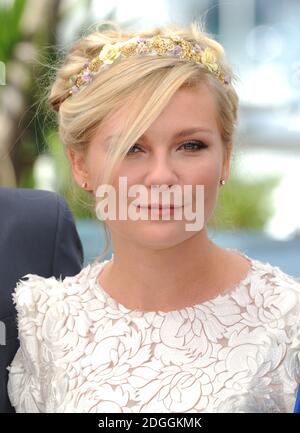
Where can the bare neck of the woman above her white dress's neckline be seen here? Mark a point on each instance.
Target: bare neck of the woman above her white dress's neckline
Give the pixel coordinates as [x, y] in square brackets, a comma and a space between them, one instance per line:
[165, 280]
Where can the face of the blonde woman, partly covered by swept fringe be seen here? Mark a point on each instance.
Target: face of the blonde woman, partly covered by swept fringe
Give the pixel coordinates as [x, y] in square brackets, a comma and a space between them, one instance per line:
[168, 154]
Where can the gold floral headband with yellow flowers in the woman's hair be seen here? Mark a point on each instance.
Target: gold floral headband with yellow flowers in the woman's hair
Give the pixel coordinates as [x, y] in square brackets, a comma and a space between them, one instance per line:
[157, 46]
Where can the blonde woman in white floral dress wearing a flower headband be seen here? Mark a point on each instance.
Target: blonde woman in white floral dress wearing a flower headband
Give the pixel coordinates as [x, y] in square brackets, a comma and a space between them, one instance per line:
[173, 322]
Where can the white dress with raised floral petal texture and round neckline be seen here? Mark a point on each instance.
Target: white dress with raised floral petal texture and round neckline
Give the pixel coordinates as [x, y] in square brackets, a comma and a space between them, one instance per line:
[81, 351]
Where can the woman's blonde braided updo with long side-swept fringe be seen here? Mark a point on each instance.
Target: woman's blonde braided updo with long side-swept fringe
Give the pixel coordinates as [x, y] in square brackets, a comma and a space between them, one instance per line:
[149, 82]
